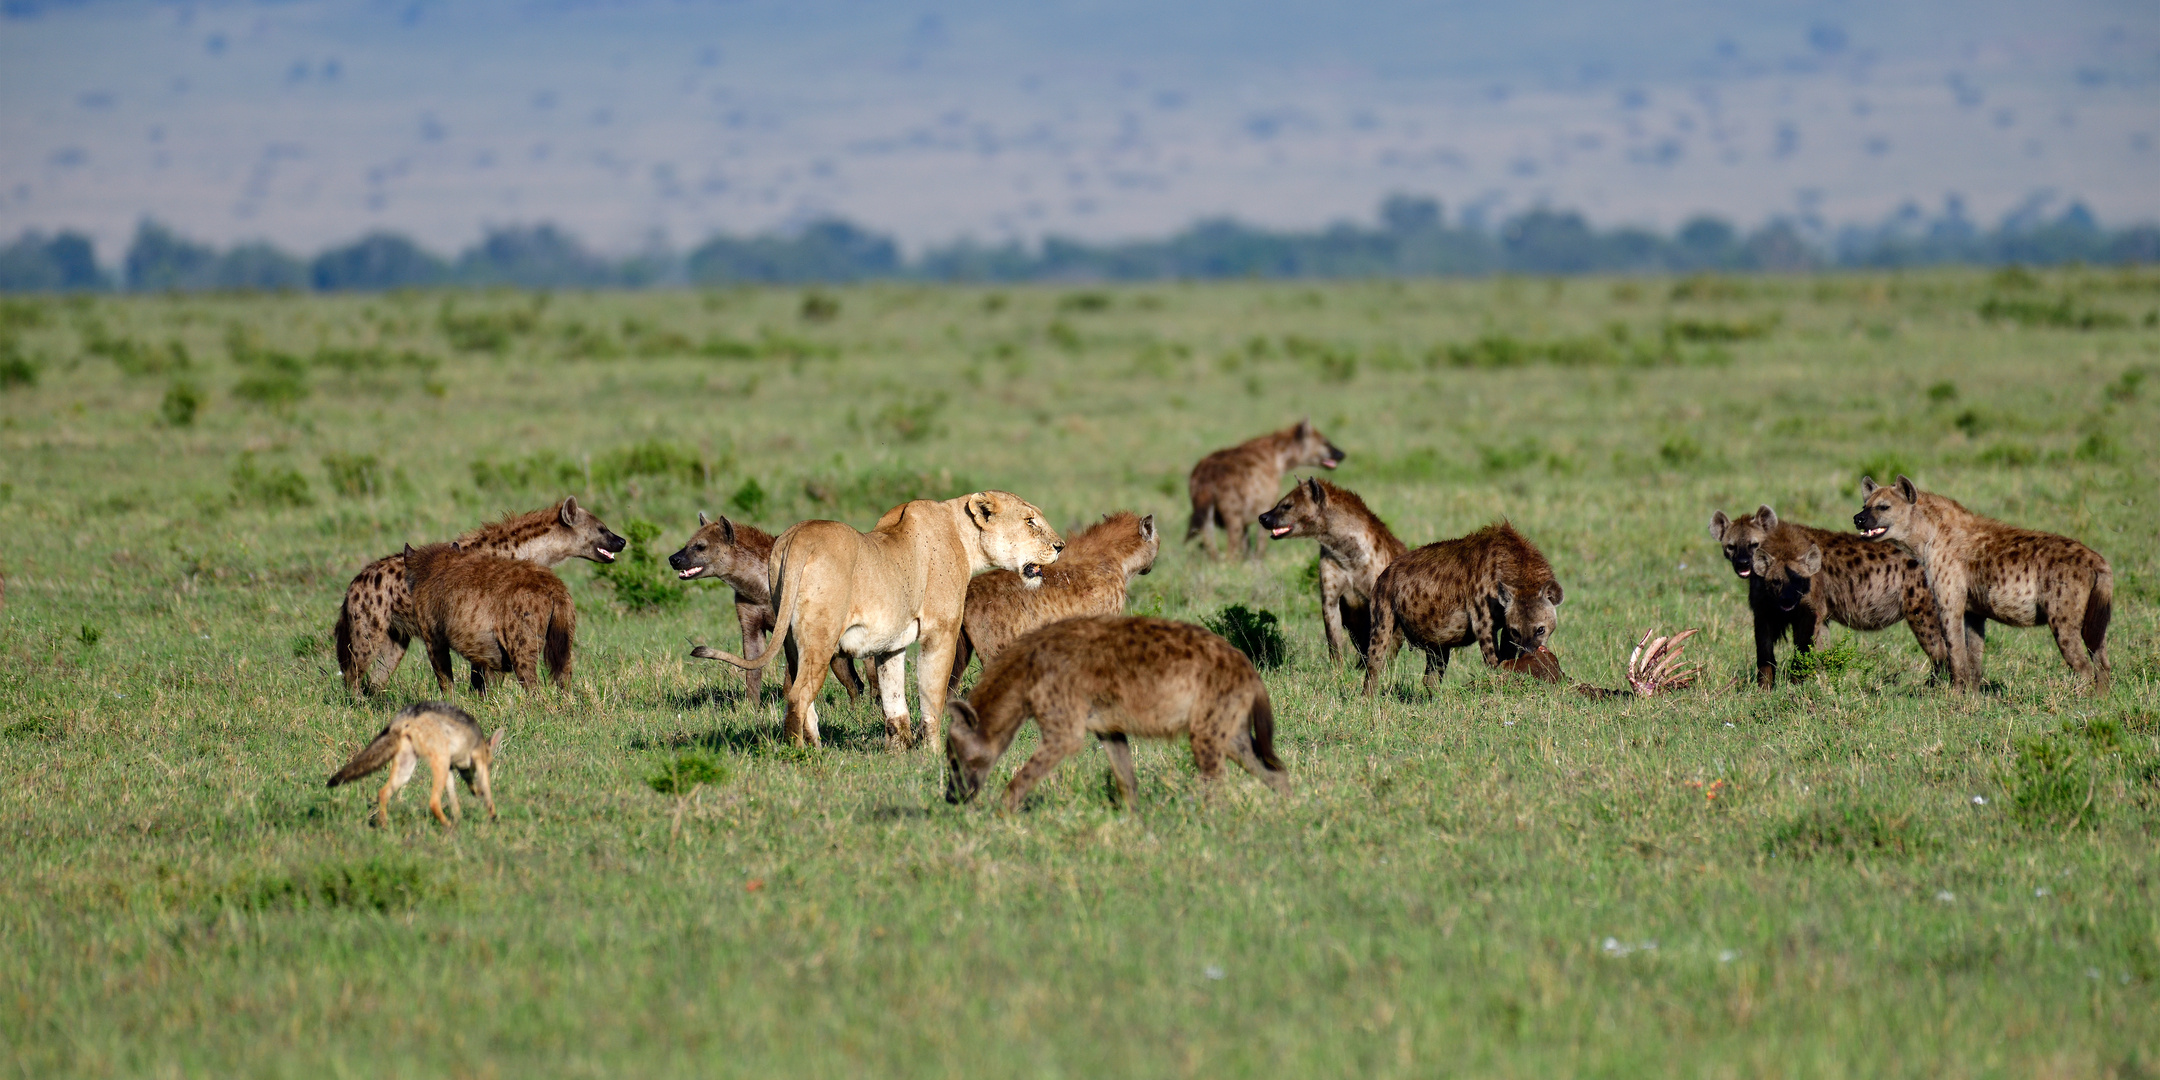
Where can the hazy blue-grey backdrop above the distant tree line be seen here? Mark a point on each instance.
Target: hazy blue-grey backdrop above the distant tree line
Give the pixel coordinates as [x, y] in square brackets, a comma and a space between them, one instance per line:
[636, 122]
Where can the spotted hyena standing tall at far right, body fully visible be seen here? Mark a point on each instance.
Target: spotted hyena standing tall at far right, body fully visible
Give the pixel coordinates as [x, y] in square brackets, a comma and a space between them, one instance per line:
[1982, 569]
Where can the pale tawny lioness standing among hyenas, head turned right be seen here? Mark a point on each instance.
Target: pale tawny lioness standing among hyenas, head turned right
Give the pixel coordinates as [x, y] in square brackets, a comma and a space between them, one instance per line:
[878, 593]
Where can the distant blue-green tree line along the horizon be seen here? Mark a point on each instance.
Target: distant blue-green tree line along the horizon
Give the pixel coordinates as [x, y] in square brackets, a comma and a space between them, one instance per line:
[1412, 239]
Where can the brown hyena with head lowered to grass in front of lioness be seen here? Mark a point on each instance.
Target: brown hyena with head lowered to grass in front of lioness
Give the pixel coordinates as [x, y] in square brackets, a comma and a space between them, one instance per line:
[1113, 677]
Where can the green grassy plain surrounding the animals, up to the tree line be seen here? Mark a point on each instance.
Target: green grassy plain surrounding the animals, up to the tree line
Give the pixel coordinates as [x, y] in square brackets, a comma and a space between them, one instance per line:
[1859, 876]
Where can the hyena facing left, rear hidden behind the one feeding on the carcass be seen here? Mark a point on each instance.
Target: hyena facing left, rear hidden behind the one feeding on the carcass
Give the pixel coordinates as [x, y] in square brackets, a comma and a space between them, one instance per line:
[1355, 545]
